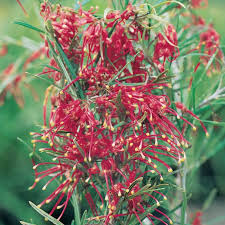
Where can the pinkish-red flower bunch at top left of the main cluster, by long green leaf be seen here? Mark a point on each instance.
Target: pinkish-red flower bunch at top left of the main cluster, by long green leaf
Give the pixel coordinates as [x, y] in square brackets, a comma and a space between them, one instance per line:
[65, 24]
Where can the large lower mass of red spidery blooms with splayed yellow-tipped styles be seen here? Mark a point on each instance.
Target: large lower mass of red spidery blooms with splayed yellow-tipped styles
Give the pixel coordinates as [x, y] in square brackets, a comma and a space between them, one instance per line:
[132, 129]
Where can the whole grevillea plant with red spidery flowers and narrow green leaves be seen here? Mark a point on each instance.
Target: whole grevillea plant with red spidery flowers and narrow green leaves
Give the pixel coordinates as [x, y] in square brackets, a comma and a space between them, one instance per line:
[116, 118]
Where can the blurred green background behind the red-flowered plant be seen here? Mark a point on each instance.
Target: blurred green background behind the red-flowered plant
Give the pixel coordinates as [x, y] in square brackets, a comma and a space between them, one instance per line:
[16, 173]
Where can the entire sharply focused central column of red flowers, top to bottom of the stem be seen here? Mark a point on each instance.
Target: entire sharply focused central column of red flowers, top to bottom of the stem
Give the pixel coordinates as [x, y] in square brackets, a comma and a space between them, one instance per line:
[111, 128]
